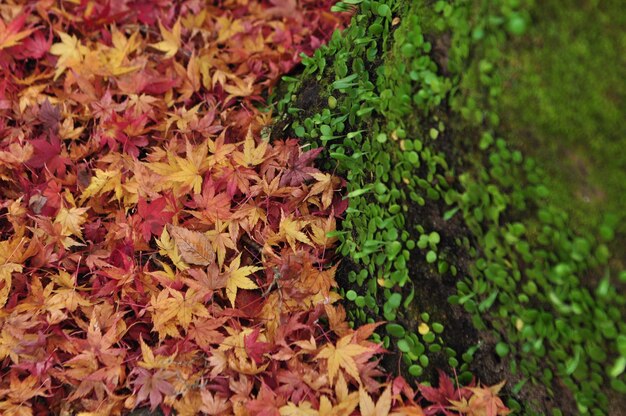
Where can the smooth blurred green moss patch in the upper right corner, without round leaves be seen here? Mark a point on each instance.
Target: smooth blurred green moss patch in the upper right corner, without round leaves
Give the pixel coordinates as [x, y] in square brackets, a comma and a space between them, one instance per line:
[563, 103]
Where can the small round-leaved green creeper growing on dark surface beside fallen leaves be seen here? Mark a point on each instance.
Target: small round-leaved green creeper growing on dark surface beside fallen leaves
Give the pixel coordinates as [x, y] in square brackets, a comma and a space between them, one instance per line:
[406, 100]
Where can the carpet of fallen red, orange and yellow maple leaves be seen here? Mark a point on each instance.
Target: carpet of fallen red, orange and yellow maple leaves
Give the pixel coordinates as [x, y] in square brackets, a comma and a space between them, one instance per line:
[155, 250]
